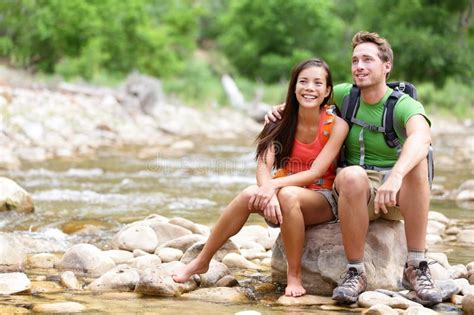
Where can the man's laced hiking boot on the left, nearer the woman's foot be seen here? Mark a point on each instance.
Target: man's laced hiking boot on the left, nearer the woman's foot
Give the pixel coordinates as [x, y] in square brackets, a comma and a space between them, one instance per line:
[348, 291]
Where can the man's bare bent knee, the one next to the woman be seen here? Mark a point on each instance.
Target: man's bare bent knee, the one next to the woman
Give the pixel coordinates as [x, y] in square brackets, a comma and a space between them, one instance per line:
[352, 180]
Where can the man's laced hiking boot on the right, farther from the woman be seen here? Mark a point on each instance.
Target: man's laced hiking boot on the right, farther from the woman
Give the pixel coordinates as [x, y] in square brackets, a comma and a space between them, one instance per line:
[417, 277]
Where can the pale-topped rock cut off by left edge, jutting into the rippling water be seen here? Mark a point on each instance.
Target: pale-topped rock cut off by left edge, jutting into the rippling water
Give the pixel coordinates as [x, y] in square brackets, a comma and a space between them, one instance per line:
[14, 197]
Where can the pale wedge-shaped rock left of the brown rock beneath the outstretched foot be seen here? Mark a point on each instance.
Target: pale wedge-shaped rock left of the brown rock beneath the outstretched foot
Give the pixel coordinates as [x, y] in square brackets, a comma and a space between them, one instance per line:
[122, 278]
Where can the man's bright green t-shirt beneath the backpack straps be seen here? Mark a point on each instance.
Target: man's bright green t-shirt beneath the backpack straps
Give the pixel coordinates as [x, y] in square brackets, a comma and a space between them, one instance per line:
[377, 153]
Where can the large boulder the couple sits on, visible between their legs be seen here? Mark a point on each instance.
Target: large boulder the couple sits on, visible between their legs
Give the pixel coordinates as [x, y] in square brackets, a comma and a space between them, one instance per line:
[324, 260]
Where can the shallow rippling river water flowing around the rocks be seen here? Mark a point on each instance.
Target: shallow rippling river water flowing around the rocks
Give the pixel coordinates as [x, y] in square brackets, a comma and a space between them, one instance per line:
[114, 188]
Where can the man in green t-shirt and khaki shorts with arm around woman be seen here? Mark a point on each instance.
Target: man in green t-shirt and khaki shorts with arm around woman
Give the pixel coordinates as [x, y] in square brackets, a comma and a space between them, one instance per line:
[379, 181]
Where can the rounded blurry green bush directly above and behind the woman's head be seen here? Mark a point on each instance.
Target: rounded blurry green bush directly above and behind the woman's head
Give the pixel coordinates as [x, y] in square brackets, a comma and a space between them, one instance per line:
[264, 39]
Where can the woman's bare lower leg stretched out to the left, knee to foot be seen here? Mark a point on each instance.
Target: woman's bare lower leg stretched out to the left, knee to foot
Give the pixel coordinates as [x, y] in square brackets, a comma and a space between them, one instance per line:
[229, 223]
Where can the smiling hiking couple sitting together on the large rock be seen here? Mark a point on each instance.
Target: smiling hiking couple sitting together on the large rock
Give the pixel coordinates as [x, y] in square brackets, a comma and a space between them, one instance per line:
[302, 139]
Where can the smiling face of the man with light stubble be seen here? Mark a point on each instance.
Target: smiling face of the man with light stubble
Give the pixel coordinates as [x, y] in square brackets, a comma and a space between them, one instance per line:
[367, 68]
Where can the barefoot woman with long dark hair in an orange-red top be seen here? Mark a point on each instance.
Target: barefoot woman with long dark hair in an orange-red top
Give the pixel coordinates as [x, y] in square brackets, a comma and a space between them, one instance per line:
[303, 145]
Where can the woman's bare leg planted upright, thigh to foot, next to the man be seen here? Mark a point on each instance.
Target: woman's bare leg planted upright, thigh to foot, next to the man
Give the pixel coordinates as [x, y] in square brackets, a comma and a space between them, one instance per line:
[300, 207]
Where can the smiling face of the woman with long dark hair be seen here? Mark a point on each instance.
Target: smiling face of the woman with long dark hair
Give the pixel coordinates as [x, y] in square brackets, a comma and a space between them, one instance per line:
[311, 87]
